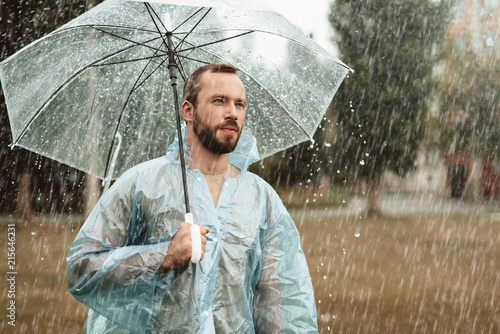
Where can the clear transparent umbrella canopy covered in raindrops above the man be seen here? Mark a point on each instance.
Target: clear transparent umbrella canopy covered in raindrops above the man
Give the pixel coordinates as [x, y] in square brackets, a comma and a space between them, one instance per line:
[95, 93]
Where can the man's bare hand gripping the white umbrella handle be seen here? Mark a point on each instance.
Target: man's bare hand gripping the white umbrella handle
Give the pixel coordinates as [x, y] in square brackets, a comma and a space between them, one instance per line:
[180, 249]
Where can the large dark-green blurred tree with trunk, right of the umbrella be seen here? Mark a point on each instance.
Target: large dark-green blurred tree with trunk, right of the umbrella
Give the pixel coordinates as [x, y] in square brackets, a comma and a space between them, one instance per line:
[392, 45]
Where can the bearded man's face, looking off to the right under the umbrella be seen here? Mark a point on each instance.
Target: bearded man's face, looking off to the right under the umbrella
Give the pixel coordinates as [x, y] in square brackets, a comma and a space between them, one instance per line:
[220, 111]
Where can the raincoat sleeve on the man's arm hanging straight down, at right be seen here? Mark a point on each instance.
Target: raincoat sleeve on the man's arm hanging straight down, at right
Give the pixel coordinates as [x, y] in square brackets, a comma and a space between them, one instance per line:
[284, 298]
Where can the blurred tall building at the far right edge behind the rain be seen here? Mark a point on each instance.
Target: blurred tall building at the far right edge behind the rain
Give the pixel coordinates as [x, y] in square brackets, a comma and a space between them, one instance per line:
[474, 34]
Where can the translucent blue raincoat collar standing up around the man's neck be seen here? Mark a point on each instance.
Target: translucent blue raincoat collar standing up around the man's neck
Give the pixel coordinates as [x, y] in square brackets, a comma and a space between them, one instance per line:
[245, 154]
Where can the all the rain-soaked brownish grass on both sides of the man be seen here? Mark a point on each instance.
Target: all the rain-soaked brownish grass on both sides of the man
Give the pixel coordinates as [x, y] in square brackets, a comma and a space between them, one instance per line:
[408, 274]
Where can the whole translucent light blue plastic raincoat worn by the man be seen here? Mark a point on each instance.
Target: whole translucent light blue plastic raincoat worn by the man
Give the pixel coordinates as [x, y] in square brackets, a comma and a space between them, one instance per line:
[253, 277]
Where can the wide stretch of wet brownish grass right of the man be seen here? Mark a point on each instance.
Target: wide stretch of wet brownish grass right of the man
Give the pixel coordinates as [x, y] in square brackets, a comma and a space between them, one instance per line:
[414, 274]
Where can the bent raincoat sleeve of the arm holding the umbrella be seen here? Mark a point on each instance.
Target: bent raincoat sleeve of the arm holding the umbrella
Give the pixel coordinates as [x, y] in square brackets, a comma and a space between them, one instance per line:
[110, 270]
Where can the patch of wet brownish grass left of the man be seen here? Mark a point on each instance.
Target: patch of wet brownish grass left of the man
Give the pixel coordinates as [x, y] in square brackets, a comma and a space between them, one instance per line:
[43, 302]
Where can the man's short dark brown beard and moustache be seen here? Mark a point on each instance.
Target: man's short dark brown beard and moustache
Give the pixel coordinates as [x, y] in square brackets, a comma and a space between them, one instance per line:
[208, 135]
